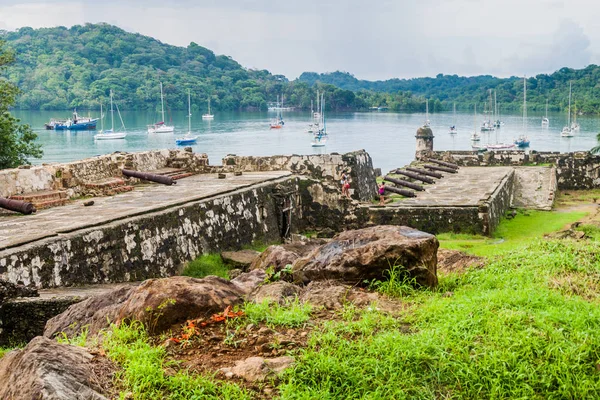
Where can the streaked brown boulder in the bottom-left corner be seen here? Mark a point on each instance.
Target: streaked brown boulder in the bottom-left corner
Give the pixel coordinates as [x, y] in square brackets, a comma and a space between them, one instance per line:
[50, 371]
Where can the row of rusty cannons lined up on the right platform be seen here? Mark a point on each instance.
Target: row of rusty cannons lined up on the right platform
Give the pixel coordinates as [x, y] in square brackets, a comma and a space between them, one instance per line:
[427, 175]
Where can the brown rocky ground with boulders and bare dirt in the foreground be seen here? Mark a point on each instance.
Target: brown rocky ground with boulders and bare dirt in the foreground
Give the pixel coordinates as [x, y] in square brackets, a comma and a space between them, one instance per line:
[204, 326]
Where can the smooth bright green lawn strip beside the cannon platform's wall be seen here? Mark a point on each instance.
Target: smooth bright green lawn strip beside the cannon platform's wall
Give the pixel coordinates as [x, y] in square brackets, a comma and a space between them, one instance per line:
[511, 233]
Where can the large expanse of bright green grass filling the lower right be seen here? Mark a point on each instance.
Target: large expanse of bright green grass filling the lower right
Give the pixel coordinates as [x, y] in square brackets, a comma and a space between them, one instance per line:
[506, 332]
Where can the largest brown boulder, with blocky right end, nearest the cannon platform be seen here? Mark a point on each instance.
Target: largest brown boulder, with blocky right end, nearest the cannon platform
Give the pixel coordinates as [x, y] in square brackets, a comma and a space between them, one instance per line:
[366, 254]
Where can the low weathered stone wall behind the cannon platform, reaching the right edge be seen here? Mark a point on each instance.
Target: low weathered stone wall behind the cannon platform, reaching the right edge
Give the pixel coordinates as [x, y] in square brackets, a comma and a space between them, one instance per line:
[579, 170]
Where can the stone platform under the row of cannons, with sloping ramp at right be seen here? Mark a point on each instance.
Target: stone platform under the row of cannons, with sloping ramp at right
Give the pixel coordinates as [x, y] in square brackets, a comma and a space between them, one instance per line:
[470, 201]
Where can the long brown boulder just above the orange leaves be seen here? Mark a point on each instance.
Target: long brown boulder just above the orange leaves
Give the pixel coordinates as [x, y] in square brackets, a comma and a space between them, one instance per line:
[158, 303]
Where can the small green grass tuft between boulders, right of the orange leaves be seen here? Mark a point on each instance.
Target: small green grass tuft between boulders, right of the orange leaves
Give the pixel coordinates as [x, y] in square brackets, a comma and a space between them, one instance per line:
[291, 314]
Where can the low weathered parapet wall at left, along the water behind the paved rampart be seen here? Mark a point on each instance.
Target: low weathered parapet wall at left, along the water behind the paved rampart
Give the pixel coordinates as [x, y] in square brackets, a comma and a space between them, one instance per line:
[71, 176]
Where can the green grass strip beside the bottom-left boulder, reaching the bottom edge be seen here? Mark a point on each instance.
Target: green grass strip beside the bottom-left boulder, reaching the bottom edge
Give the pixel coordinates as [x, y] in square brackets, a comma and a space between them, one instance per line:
[143, 375]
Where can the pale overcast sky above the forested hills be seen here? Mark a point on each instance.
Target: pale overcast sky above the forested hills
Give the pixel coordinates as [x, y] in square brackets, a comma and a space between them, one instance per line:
[370, 39]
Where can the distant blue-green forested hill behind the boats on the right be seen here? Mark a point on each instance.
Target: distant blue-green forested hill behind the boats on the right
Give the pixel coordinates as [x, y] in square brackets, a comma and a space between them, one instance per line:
[443, 90]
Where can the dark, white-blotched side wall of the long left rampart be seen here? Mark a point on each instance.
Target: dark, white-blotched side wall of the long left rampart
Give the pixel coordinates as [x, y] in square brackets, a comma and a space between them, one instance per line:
[155, 244]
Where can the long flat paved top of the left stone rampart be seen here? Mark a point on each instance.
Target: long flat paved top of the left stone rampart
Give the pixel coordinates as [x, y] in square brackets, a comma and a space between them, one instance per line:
[16, 230]
